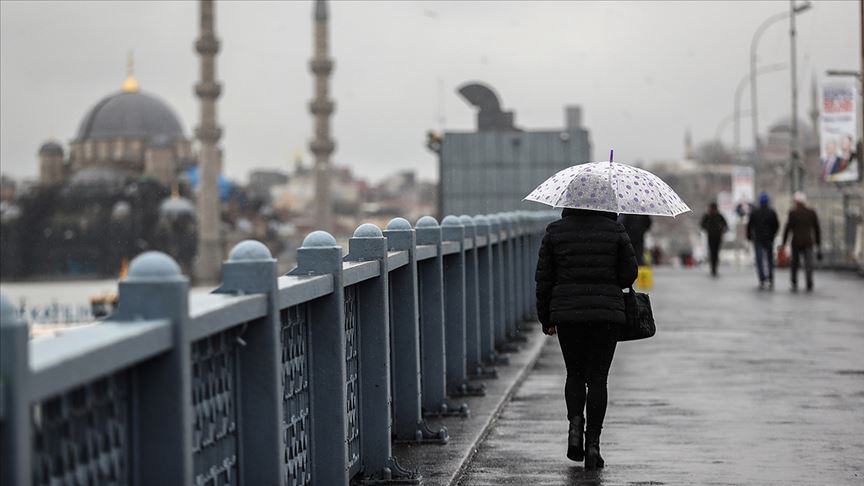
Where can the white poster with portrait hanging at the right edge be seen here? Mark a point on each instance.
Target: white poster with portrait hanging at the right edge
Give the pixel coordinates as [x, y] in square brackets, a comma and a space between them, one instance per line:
[838, 132]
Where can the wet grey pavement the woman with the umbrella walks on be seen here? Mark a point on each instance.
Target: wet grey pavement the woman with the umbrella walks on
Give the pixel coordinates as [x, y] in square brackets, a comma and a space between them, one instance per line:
[739, 386]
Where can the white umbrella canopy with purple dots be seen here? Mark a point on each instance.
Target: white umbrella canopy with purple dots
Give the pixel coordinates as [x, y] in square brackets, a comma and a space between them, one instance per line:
[609, 186]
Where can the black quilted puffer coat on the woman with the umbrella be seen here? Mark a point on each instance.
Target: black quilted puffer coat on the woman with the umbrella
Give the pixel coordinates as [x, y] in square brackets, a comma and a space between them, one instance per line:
[585, 260]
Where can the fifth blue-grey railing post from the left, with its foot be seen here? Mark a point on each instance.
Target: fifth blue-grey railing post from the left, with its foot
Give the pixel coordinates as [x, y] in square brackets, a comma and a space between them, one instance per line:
[373, 321]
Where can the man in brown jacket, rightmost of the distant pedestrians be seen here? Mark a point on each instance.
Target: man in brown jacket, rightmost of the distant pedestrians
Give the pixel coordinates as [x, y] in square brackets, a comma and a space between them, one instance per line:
[803, 225]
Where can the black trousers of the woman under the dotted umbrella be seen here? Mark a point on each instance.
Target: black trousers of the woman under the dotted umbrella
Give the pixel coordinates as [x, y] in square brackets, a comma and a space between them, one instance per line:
[588, 350]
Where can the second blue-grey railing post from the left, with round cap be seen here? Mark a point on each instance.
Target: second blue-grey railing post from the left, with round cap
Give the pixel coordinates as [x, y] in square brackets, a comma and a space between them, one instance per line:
[162, 450]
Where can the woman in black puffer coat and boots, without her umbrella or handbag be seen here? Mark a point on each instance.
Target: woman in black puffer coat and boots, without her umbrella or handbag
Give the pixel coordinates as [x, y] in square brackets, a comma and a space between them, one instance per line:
[585, 260]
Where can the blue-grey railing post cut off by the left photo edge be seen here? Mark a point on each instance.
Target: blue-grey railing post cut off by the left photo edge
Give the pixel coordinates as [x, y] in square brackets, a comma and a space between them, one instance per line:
[15, 441]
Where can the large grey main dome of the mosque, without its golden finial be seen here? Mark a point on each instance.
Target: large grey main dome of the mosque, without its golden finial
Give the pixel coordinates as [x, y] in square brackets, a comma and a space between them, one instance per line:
[130, 115]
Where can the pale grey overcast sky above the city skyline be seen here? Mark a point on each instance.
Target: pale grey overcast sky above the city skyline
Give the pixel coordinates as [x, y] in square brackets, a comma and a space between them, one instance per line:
[644, 72]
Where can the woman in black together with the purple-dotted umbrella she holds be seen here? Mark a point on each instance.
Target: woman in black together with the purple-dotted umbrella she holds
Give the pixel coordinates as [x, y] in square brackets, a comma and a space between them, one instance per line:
[586, 259]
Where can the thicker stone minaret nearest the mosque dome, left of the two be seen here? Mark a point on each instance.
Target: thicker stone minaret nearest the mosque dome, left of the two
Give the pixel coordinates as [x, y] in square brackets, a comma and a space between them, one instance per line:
[209, 258]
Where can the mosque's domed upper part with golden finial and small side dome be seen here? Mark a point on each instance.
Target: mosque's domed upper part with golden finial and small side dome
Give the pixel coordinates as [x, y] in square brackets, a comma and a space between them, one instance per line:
[127, 134]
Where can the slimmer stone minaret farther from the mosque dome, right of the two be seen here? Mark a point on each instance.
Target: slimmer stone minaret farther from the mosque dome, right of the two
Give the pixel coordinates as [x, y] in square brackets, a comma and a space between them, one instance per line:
[321, 107]
